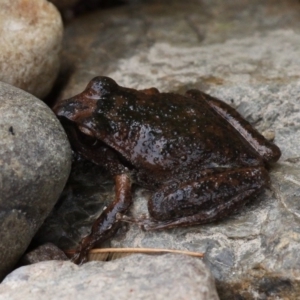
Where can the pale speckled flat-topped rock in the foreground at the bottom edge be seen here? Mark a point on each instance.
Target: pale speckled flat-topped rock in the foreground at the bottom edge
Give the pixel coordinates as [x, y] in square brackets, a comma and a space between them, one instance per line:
[135, 277]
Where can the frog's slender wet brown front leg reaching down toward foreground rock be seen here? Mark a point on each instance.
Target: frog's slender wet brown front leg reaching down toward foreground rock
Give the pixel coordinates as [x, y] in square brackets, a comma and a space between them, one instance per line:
[106, 225]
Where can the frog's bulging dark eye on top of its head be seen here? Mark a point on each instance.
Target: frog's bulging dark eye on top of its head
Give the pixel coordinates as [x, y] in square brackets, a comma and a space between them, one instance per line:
[101, 86]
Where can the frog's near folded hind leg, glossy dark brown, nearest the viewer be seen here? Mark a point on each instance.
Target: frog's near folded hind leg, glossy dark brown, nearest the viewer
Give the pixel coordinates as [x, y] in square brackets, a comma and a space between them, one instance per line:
[206, 200]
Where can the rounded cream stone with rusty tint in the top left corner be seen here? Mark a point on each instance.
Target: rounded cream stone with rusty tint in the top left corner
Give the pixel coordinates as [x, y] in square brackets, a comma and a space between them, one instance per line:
[31, 33]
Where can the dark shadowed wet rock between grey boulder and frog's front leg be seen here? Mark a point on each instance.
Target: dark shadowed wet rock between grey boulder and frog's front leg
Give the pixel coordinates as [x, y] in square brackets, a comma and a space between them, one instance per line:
[88, 190]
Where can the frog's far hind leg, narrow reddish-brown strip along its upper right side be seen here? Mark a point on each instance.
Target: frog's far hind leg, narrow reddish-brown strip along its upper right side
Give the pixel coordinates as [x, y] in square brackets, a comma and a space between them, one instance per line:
[266, 149]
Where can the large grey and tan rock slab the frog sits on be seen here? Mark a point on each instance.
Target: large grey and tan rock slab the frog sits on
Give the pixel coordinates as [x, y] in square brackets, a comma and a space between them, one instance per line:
[246, 54]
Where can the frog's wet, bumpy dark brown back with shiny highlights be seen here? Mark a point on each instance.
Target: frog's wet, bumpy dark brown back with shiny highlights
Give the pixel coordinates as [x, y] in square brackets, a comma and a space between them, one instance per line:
[166, 131]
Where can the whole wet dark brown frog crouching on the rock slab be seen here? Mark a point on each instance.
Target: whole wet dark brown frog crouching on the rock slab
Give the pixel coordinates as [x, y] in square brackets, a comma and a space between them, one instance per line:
[197, 155]
